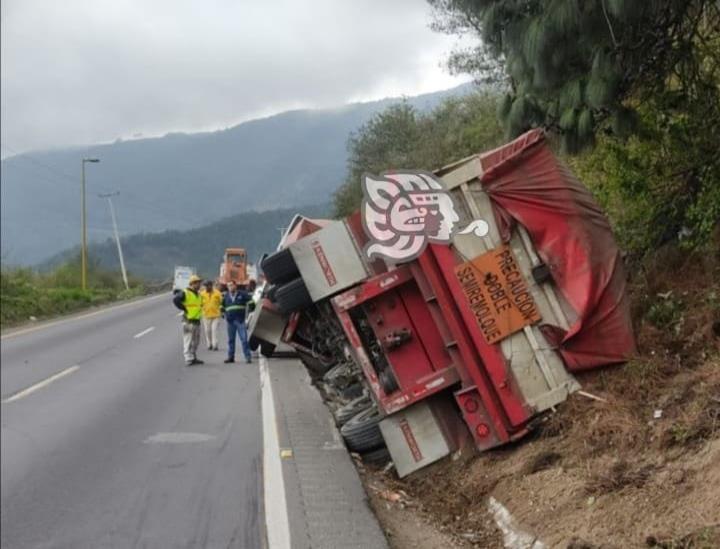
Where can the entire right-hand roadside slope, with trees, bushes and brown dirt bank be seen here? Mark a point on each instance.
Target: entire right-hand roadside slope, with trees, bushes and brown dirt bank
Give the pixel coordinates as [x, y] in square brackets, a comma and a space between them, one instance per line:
[629, 93]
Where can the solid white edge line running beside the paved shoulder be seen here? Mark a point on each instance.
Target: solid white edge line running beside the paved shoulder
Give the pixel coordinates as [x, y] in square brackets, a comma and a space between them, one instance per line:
[276, 517]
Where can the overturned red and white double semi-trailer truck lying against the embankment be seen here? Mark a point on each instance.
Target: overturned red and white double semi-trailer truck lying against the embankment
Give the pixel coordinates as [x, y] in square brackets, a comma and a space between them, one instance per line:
[470, 341]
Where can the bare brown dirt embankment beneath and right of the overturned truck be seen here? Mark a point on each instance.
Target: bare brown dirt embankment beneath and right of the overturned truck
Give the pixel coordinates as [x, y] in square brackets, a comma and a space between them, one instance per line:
[641, 468]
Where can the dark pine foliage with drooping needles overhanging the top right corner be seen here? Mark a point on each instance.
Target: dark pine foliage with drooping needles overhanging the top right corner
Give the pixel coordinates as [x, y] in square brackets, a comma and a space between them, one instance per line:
[578, 67]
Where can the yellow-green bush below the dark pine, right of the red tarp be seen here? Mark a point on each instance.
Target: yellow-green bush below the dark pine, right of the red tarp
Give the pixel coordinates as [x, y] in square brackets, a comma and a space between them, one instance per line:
[659, 186]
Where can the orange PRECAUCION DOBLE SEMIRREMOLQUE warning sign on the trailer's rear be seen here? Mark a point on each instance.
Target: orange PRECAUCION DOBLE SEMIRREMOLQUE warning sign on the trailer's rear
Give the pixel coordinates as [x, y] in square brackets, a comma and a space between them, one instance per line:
[498, 295]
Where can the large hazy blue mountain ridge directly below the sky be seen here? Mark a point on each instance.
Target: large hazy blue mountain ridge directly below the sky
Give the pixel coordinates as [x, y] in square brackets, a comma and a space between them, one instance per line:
[180, 181]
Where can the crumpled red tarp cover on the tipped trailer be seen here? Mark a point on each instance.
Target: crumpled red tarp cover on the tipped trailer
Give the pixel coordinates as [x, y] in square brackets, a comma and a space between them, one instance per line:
[528, 184]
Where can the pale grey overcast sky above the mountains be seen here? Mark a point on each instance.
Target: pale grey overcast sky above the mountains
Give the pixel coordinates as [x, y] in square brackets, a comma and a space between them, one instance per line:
[90, 71]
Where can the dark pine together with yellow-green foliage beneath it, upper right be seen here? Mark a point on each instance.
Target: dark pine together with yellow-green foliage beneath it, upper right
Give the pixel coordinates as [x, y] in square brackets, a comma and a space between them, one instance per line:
[638, 78]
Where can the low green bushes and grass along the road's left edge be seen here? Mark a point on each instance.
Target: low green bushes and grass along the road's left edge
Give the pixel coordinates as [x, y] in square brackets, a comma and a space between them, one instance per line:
[26, 294]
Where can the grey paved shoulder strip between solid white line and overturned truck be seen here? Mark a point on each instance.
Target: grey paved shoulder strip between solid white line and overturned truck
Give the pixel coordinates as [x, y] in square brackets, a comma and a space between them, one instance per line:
[320, 476]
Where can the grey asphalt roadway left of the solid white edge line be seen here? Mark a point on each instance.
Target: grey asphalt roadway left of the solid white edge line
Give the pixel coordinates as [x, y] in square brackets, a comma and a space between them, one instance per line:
[109, 440]
